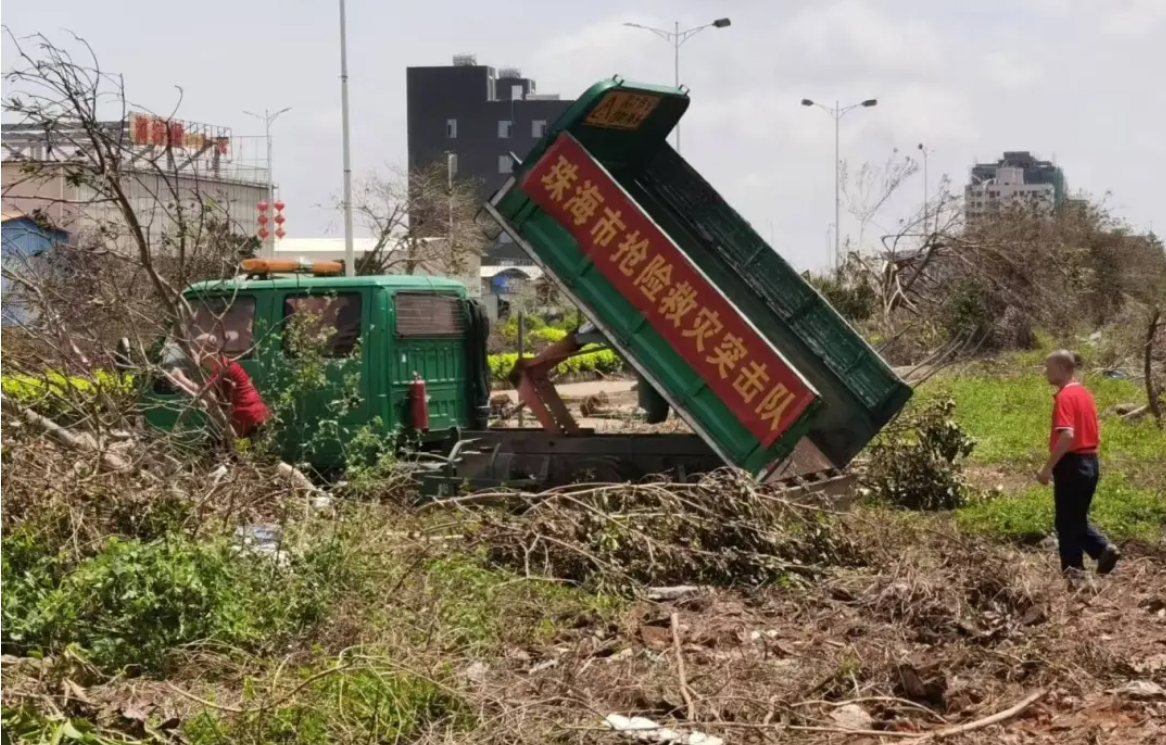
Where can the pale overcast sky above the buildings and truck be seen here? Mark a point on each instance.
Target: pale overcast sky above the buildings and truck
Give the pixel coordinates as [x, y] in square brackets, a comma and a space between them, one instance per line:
[1077, 81]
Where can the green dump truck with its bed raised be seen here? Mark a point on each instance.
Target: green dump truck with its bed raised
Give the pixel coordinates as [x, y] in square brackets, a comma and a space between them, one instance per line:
[718, 326]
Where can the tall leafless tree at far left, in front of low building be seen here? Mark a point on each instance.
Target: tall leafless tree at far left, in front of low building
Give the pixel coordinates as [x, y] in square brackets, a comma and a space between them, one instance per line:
[142, 223]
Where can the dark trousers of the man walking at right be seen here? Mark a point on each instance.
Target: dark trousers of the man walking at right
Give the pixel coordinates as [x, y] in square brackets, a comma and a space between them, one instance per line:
[1074, 483]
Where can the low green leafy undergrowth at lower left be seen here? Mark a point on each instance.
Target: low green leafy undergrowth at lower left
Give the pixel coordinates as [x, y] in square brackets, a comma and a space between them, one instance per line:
[132, 603]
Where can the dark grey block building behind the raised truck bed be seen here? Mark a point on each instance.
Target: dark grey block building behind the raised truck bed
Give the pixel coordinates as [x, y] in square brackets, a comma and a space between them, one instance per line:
[479, 115]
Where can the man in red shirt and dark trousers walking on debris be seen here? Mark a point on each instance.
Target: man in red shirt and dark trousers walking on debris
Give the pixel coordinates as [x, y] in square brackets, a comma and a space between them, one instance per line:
[1073, 467]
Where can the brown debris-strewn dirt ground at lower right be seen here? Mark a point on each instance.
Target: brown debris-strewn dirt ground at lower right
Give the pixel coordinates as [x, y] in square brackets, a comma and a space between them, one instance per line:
[945, 636]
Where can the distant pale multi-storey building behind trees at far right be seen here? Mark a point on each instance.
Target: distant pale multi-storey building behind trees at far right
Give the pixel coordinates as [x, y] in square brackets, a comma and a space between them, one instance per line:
[1017, 181]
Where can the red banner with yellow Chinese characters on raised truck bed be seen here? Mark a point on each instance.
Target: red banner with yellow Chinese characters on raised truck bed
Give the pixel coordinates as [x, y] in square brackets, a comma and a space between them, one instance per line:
[736, 362]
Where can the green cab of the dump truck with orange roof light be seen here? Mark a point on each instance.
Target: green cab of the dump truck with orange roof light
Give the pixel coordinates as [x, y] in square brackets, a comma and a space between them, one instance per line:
[374, 335]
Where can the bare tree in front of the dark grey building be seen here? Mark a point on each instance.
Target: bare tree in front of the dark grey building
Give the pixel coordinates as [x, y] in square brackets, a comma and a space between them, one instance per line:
[423, 222]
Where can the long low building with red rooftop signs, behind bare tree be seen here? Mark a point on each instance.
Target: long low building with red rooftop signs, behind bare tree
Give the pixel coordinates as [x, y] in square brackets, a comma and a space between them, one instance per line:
[174, 177]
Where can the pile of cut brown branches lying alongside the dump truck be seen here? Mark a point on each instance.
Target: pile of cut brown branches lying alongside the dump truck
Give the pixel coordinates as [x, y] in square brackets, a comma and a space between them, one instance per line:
[724, 530]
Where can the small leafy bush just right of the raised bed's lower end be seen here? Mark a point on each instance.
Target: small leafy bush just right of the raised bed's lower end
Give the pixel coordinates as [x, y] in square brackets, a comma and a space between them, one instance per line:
[919, 463]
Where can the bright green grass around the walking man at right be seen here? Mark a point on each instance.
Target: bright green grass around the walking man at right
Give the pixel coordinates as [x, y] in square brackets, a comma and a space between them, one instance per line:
[1009, 417]
